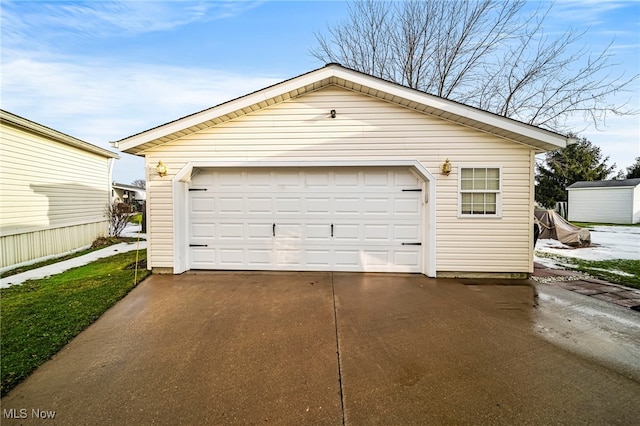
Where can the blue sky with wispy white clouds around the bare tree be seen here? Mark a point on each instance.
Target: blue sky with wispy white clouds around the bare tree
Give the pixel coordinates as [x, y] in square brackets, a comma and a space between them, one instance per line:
[101, 71]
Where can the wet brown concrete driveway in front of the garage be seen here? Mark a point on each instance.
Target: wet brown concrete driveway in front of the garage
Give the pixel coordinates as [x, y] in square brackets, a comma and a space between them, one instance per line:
[321, 348]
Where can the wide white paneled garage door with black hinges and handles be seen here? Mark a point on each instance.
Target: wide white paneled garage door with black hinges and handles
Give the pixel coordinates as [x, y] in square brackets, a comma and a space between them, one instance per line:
[306, 219]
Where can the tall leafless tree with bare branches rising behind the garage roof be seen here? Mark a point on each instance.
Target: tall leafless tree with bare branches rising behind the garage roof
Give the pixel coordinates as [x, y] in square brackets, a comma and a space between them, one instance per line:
[491, 54]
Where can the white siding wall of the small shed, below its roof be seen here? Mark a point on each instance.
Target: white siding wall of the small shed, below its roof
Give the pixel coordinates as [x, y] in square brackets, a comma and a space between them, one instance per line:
[604, 205]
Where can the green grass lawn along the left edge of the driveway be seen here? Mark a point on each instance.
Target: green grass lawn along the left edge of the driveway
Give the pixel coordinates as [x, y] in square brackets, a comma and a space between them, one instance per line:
[40, 316]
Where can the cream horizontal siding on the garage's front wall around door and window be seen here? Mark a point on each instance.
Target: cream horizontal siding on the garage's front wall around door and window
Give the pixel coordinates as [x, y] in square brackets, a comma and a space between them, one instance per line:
[367, 129]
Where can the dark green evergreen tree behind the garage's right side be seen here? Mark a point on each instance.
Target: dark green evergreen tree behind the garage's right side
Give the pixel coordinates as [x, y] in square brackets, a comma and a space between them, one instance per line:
[581, 161]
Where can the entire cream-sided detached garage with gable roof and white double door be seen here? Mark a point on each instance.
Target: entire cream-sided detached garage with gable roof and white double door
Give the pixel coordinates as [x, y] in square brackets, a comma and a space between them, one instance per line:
[336, 170]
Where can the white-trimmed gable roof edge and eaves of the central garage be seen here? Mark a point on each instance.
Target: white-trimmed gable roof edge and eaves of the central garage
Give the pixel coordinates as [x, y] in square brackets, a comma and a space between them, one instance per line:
[337, 75]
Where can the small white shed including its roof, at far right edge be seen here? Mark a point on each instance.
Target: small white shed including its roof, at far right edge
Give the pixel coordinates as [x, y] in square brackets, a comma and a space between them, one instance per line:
[605, 201]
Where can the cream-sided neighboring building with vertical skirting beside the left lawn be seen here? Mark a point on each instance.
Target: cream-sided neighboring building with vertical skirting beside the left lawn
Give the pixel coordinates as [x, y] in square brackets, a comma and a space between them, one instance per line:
[54, 190]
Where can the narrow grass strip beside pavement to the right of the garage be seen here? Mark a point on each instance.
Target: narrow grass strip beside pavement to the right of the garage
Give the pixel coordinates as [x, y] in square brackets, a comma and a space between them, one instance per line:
[602, 269]
